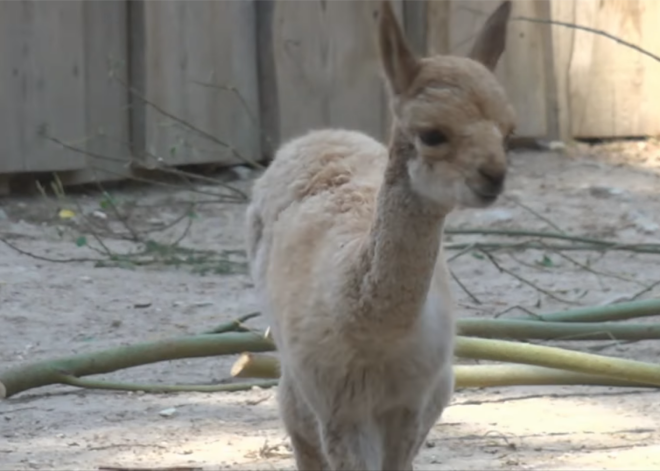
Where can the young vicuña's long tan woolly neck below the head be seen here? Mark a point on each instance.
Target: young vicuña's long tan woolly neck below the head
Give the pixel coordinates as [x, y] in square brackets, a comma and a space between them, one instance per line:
[399, 255]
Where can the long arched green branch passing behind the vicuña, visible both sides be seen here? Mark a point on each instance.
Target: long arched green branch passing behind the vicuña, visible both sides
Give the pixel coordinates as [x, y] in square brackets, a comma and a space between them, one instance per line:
[69, 370]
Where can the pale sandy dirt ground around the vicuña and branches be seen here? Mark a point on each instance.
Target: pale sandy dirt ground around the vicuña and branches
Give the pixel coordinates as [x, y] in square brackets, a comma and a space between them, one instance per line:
[52, 309]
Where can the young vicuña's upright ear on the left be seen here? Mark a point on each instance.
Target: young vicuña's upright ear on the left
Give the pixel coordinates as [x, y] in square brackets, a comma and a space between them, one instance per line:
[399, 62]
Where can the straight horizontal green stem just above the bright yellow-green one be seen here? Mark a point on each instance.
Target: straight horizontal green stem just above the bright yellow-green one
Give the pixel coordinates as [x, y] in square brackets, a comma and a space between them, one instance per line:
[533, 329]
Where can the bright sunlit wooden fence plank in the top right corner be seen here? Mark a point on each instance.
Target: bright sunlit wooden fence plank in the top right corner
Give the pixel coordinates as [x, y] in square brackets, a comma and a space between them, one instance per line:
[613, 89]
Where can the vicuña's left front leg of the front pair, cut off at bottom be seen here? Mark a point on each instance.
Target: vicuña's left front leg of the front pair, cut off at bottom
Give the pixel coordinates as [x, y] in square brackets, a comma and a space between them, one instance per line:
[352, 444]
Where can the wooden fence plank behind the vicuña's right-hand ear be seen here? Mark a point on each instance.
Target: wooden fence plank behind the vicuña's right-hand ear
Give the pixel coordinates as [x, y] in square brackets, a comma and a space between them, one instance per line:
[522, 68]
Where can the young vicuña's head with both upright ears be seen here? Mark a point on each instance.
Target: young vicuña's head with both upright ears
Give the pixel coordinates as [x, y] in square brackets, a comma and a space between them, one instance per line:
[451, 112]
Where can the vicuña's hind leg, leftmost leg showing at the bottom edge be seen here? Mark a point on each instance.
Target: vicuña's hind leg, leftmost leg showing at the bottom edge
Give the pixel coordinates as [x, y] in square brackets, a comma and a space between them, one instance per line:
[301, 426]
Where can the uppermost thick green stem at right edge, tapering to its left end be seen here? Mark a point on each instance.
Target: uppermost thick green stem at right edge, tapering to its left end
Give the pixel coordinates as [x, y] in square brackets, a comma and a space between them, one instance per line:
[613, 312]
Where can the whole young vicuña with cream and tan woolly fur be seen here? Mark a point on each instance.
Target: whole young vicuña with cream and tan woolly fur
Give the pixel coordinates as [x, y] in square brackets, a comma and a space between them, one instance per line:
[344, 242]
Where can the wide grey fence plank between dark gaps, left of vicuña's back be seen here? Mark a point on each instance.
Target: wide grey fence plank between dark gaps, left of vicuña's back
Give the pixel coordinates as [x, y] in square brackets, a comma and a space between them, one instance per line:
[191, 50]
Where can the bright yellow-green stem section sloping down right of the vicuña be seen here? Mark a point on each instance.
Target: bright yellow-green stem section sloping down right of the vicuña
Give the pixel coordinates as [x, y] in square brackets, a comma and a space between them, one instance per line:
[514, 352]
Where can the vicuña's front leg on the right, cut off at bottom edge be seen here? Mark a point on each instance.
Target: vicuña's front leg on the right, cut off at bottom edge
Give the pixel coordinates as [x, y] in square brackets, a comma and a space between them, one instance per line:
[402, 428]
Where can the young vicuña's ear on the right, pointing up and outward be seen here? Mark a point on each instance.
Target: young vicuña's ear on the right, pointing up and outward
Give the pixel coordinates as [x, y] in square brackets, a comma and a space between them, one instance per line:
[491, 41]
